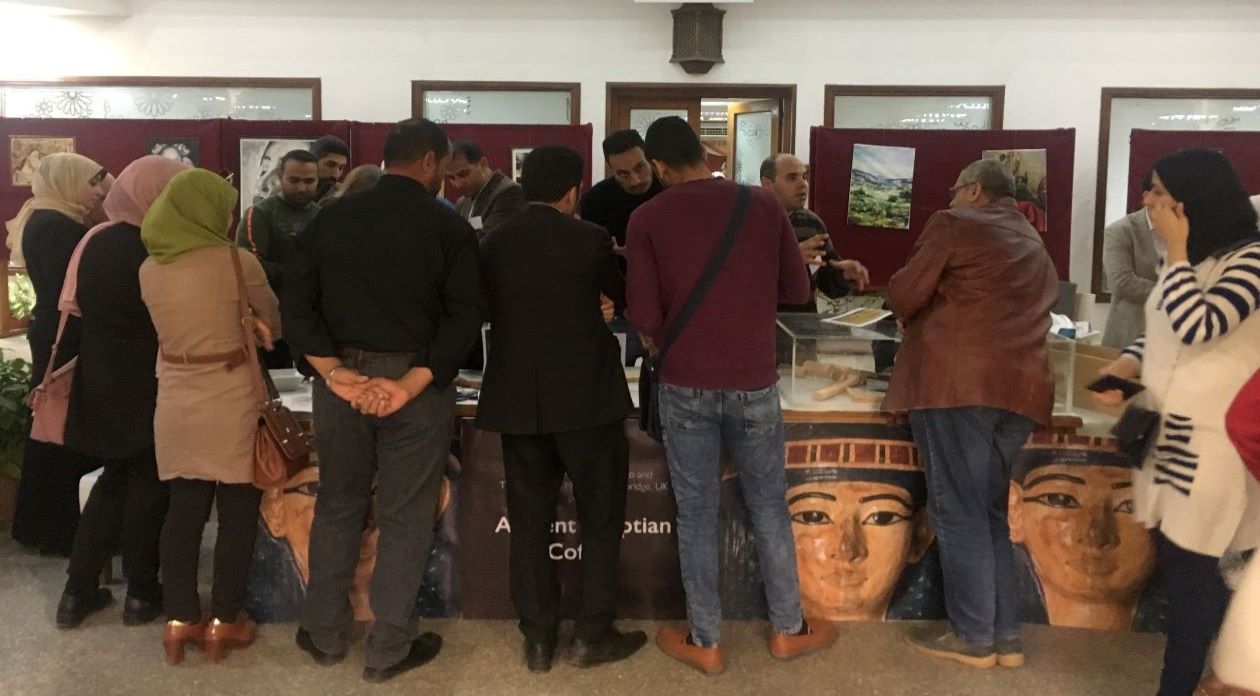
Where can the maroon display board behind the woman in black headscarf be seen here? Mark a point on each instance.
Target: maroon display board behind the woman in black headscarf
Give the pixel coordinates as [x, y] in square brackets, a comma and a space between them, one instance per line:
[1146, 148]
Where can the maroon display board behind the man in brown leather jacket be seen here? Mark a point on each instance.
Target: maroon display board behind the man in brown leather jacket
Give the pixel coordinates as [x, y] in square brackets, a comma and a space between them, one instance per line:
[939, 157]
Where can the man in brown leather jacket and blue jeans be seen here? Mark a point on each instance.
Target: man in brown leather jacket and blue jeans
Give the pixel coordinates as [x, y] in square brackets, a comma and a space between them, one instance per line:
[976, 299]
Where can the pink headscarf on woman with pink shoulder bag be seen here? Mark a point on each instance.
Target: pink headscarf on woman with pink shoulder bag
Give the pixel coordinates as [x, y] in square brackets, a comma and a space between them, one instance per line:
[129, 200]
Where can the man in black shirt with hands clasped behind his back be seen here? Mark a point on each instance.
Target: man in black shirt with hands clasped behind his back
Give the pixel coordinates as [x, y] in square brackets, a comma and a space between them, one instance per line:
[386, 326]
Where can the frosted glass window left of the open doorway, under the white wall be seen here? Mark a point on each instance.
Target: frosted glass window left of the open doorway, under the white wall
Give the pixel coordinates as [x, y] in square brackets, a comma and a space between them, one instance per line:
[477, 107]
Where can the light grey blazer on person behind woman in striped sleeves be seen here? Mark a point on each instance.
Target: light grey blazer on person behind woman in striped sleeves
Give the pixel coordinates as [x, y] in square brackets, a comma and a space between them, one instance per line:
[1130, 259]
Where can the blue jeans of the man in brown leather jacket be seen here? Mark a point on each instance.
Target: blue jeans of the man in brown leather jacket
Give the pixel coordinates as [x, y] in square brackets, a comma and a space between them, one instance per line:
[967, 456]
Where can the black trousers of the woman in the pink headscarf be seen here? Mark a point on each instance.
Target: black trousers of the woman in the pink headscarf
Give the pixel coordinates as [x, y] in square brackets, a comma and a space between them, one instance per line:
[127, 509]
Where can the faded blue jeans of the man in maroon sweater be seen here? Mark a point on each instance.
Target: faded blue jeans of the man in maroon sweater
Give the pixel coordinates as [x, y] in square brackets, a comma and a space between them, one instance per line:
[697, 423]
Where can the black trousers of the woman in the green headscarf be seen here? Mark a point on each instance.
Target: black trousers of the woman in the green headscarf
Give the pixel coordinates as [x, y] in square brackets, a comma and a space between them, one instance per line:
[182, 547]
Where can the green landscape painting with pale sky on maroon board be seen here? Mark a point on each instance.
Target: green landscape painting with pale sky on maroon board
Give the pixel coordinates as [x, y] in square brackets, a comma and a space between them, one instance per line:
[880, 187]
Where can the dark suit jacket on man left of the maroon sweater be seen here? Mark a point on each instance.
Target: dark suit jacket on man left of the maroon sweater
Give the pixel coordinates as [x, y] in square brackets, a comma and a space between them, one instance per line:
[554, 365]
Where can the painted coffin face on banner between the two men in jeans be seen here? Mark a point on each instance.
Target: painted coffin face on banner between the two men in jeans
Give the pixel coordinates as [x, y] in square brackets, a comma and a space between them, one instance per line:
[859, 519]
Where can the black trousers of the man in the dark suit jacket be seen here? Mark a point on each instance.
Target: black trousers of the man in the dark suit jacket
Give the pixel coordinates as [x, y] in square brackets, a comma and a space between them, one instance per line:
[598, 465]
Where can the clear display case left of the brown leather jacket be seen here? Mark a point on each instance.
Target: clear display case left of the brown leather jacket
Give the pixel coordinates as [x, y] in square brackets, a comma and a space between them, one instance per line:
[832, 368]
